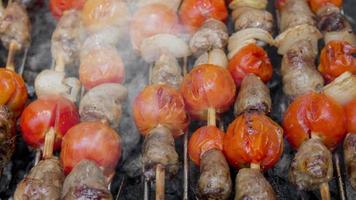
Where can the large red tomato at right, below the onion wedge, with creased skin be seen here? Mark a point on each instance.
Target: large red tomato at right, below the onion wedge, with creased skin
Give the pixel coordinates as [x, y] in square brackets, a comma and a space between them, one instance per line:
[314, 113]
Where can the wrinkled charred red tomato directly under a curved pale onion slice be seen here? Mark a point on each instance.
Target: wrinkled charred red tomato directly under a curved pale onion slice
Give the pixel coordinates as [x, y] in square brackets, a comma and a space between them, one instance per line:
[251, 59]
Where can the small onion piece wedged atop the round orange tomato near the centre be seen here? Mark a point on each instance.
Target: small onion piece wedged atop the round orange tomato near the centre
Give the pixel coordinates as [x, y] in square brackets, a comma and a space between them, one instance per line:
[215, 57]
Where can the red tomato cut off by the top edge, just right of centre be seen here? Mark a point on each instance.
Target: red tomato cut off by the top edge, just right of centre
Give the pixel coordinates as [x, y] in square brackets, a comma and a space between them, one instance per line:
[193, 13]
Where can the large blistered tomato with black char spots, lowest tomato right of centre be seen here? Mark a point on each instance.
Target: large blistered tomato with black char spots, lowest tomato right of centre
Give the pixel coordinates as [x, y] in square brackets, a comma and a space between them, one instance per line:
[253, 138]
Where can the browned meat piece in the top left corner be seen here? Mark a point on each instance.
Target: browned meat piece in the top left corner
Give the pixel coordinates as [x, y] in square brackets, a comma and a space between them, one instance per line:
[15, 26]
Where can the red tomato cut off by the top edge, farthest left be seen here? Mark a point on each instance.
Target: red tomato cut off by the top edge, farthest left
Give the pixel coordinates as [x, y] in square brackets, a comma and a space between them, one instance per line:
[57, 7]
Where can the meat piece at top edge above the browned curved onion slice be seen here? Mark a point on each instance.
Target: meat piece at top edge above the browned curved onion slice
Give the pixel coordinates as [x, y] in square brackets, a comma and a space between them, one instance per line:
[294, 13]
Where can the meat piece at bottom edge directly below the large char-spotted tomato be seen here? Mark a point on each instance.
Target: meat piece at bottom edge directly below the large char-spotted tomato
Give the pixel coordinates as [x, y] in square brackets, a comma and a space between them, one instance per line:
[250, 184]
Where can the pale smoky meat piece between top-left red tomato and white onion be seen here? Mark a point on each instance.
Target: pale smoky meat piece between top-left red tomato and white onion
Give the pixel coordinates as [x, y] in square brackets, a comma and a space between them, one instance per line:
[67, 38]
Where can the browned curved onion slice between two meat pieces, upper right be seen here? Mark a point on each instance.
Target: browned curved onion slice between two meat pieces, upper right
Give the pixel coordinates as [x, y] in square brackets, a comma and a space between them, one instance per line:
[291, 36]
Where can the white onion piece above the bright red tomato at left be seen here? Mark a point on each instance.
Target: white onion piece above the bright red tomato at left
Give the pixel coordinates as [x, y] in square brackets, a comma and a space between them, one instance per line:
[50, 82]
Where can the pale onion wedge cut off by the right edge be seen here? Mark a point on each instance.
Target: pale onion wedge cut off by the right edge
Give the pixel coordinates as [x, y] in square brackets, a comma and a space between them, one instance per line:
[342, 89]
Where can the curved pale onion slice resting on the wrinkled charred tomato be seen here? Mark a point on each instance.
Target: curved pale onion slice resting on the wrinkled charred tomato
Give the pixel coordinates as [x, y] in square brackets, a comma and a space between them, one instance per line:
[247, 36]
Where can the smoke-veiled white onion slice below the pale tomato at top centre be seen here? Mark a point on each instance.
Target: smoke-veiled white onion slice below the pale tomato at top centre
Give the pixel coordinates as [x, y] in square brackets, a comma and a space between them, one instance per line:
[153, 47]
